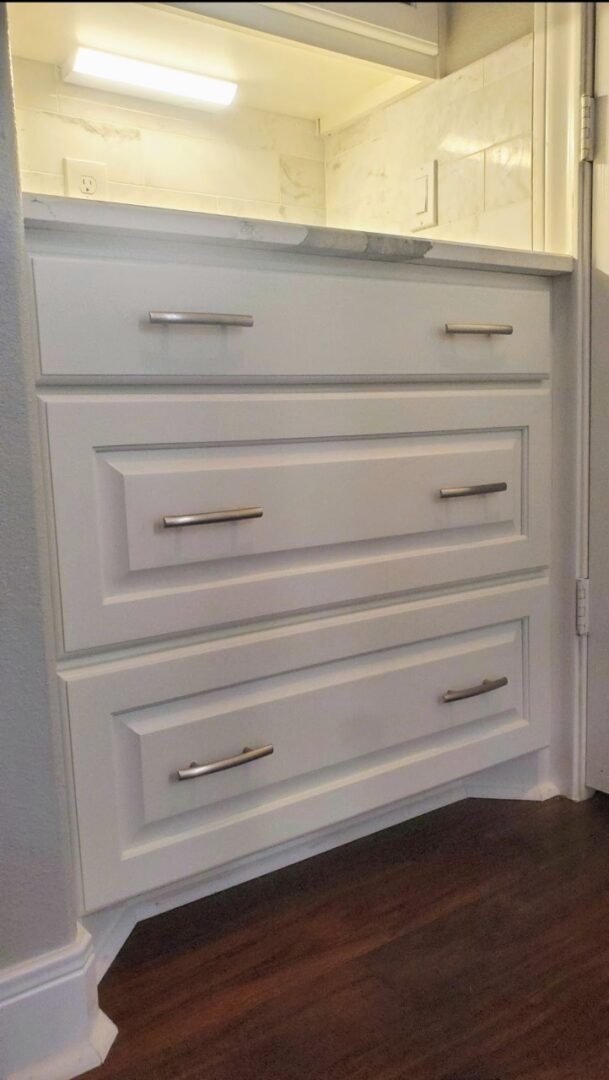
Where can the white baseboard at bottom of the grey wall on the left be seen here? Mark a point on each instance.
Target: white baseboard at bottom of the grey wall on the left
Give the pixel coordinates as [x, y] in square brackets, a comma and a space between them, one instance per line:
[51, 1027]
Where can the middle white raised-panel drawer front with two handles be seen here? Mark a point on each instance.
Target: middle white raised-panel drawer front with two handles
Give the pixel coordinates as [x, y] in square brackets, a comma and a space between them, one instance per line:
[175, 514]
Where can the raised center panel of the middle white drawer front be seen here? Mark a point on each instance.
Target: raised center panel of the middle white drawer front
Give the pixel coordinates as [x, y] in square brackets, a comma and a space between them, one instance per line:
[355, 491]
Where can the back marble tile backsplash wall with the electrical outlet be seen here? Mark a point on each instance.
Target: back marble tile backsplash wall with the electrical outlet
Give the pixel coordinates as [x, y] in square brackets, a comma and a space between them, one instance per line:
[243, 161]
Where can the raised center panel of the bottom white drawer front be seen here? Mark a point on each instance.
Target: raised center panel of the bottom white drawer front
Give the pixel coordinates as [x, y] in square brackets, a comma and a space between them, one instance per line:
[322, 718]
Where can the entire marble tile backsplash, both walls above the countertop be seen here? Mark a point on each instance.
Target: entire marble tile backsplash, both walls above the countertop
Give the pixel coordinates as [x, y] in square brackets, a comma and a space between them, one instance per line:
[476, 124]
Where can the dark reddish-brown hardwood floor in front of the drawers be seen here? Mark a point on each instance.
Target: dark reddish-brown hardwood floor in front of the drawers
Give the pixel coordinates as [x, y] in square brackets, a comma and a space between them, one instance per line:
[470, 944]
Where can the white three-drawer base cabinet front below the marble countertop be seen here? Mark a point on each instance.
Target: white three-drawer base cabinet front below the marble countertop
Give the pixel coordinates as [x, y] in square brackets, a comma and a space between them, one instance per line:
[376, 610]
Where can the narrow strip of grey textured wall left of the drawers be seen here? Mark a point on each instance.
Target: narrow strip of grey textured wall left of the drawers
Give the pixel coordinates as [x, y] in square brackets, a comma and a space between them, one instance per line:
[35, 877]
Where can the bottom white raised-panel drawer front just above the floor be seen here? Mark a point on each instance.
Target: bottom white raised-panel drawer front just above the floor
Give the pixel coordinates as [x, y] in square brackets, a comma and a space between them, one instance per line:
[346, 714]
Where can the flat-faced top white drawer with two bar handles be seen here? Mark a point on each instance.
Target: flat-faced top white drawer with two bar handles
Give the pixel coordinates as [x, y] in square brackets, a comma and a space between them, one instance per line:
[247, 322]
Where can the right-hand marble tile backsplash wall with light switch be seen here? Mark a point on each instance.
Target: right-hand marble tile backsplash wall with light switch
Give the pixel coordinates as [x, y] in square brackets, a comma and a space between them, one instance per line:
[477, 124]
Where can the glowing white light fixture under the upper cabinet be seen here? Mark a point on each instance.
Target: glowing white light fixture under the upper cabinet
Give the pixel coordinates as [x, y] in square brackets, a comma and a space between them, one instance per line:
[121, 75]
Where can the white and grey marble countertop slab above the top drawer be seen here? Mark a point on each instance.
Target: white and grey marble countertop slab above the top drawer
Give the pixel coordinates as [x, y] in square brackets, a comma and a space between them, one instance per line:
[86, 215]
